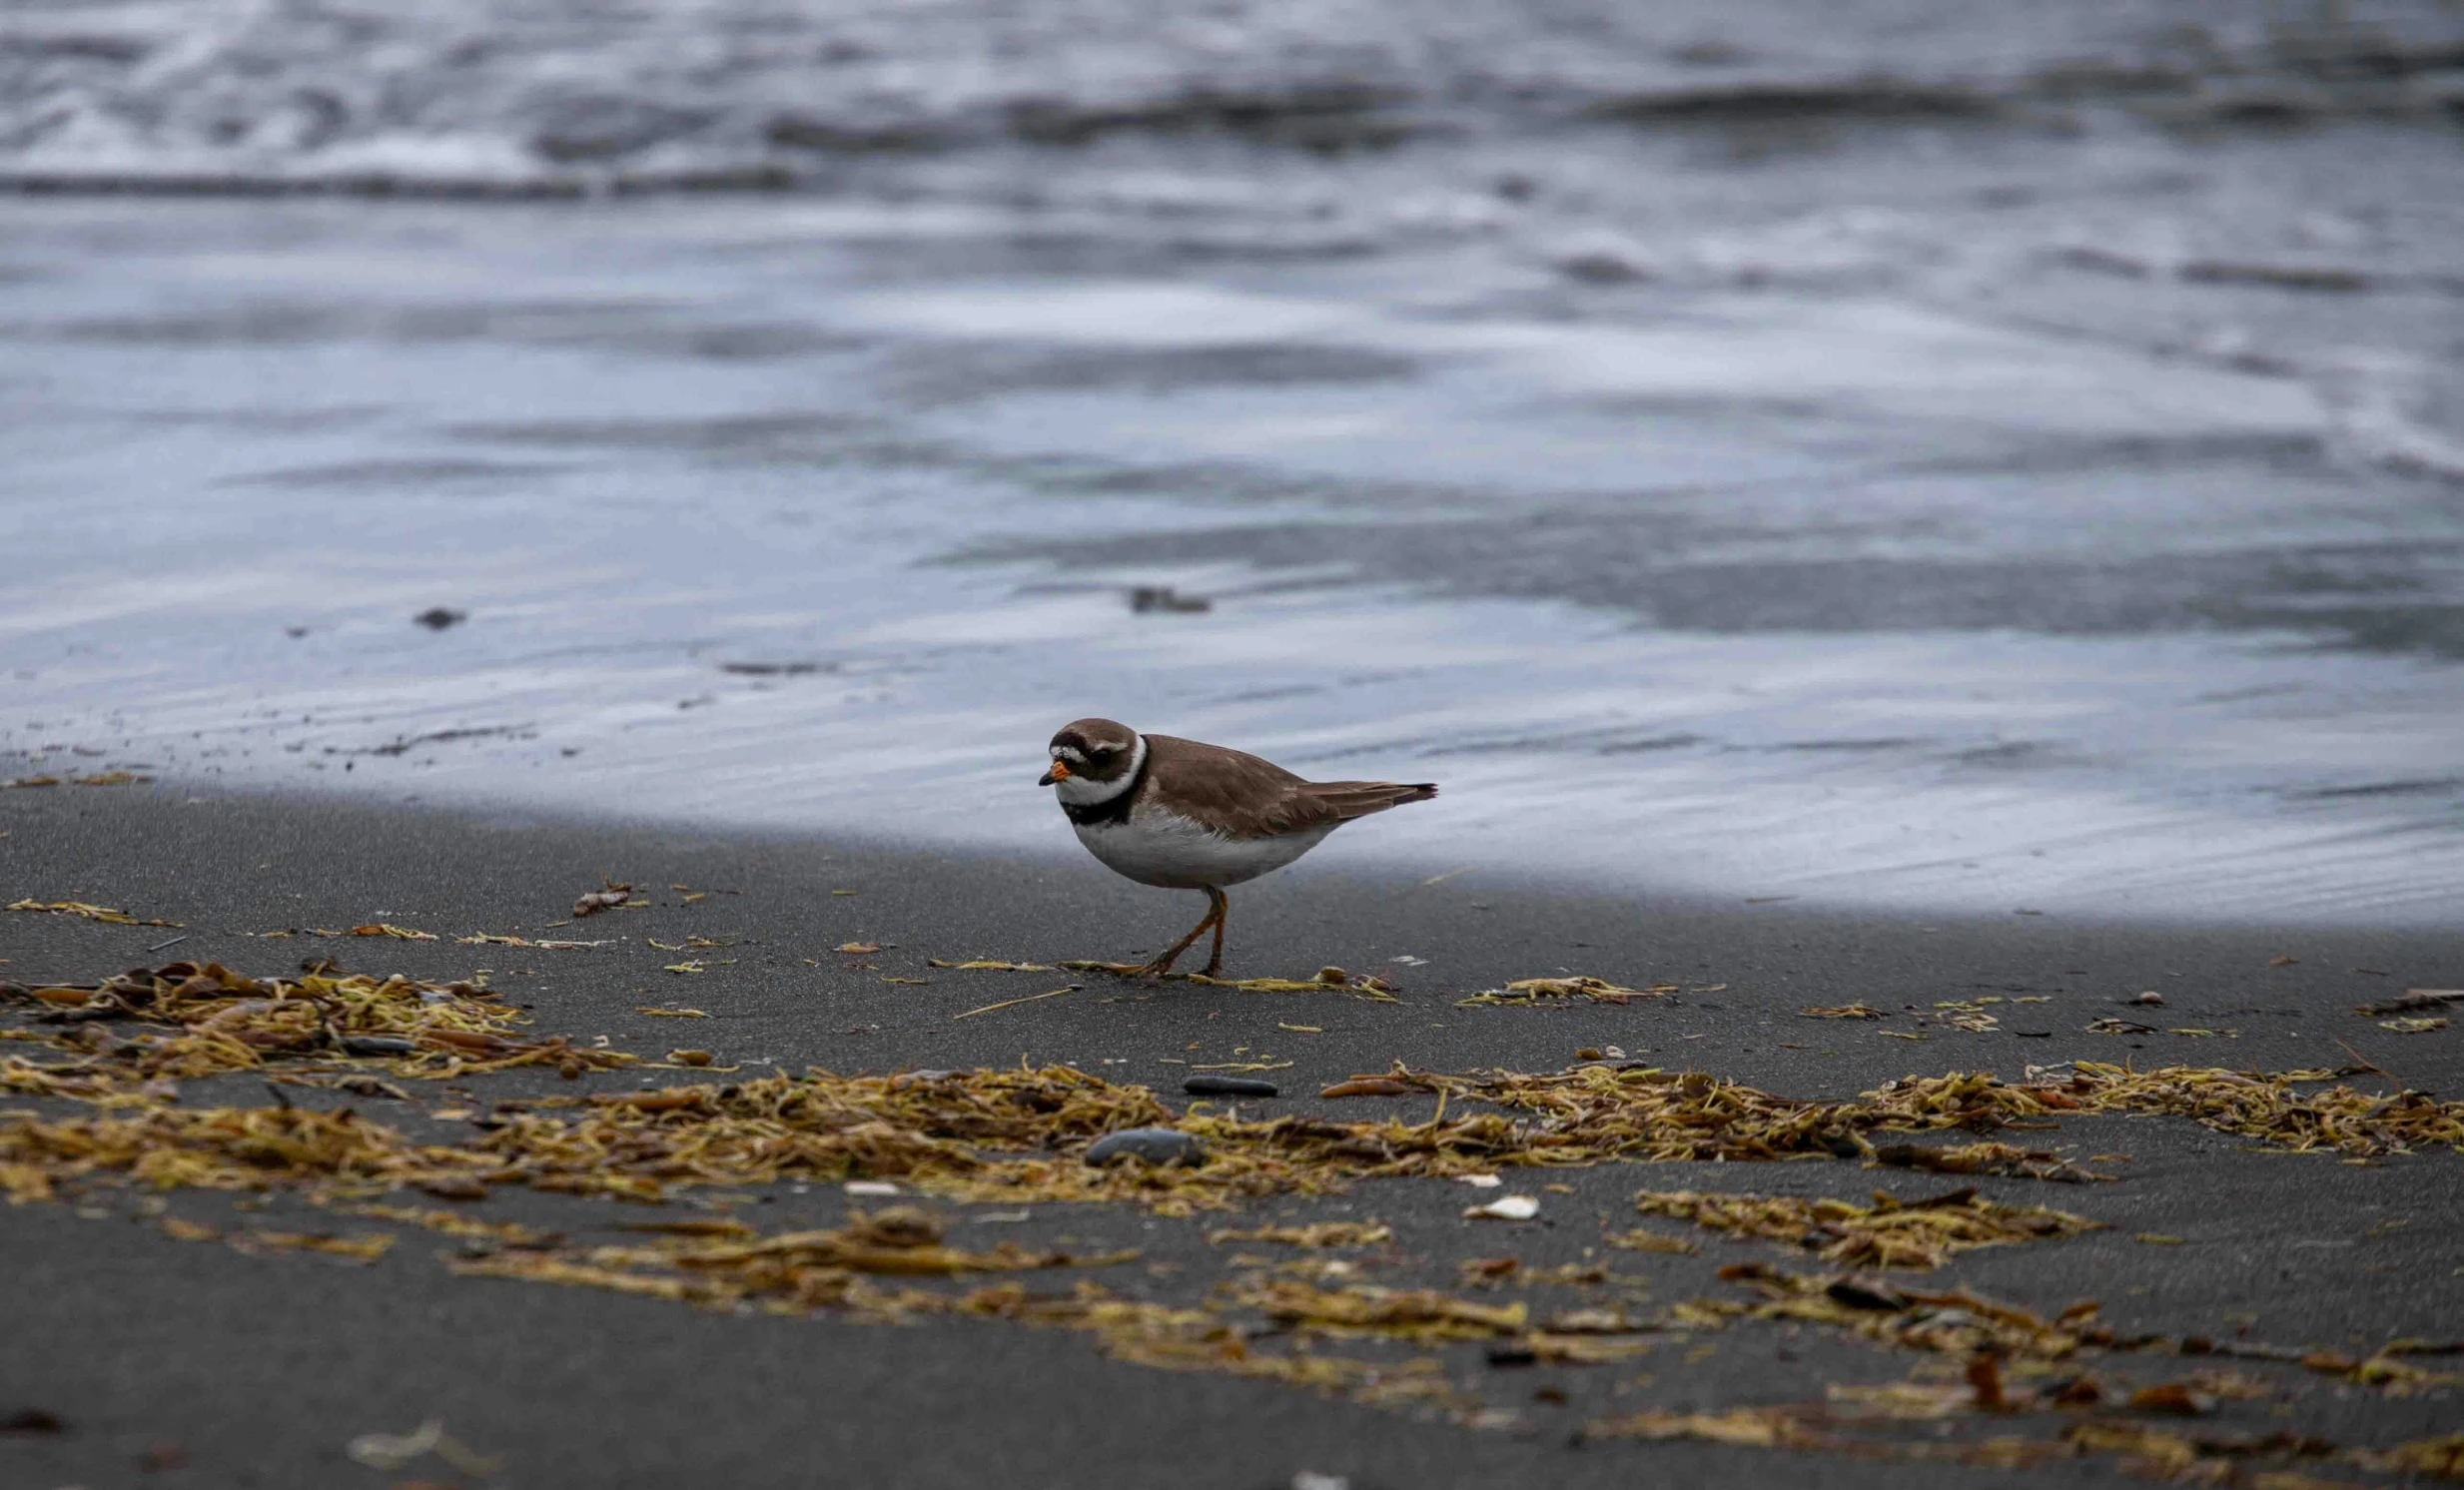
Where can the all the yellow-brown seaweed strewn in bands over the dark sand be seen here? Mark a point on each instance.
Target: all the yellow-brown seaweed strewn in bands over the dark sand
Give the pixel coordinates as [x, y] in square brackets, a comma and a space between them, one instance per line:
[122, 1048]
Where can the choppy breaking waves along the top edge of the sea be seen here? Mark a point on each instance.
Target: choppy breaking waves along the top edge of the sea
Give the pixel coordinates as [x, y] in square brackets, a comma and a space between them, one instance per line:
[578, 97]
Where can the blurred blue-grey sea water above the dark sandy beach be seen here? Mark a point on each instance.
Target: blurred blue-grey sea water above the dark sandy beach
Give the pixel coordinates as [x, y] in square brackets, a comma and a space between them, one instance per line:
[1933, 457]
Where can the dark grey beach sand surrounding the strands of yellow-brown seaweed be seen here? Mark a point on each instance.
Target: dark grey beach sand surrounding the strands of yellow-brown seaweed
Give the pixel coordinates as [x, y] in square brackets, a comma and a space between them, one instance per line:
[262, 1368]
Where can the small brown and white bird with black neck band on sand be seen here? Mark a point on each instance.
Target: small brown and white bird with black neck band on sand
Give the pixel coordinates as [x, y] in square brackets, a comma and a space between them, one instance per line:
[1181, 814]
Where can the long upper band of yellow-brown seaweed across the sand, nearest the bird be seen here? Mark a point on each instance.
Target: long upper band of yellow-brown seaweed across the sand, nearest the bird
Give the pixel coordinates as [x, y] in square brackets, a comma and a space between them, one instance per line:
[1021, 1134]
